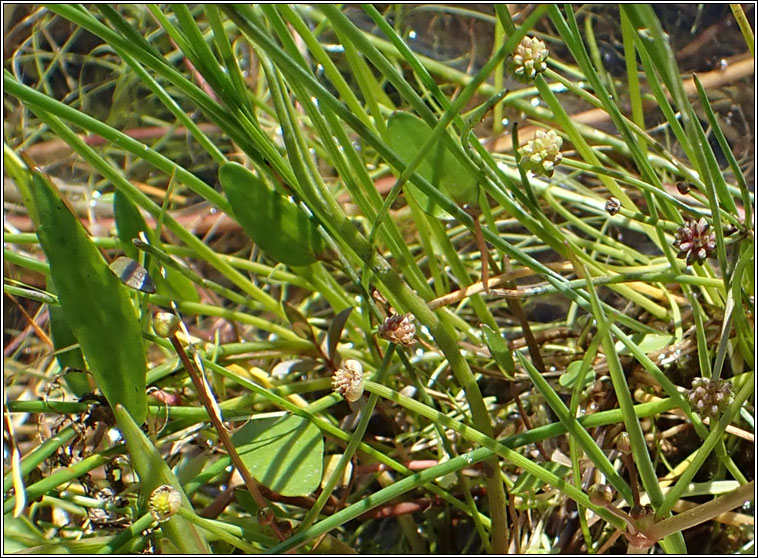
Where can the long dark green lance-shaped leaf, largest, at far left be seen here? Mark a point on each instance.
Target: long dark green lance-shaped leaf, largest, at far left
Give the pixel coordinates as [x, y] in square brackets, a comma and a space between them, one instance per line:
[95, 303]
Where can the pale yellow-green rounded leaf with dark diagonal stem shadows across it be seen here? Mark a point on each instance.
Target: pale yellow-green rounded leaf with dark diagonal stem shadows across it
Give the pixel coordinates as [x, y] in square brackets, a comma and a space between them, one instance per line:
[284, 453]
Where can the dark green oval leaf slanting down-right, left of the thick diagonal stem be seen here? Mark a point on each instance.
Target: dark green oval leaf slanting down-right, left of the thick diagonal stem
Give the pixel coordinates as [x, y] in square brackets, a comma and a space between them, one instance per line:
[279, 227]
